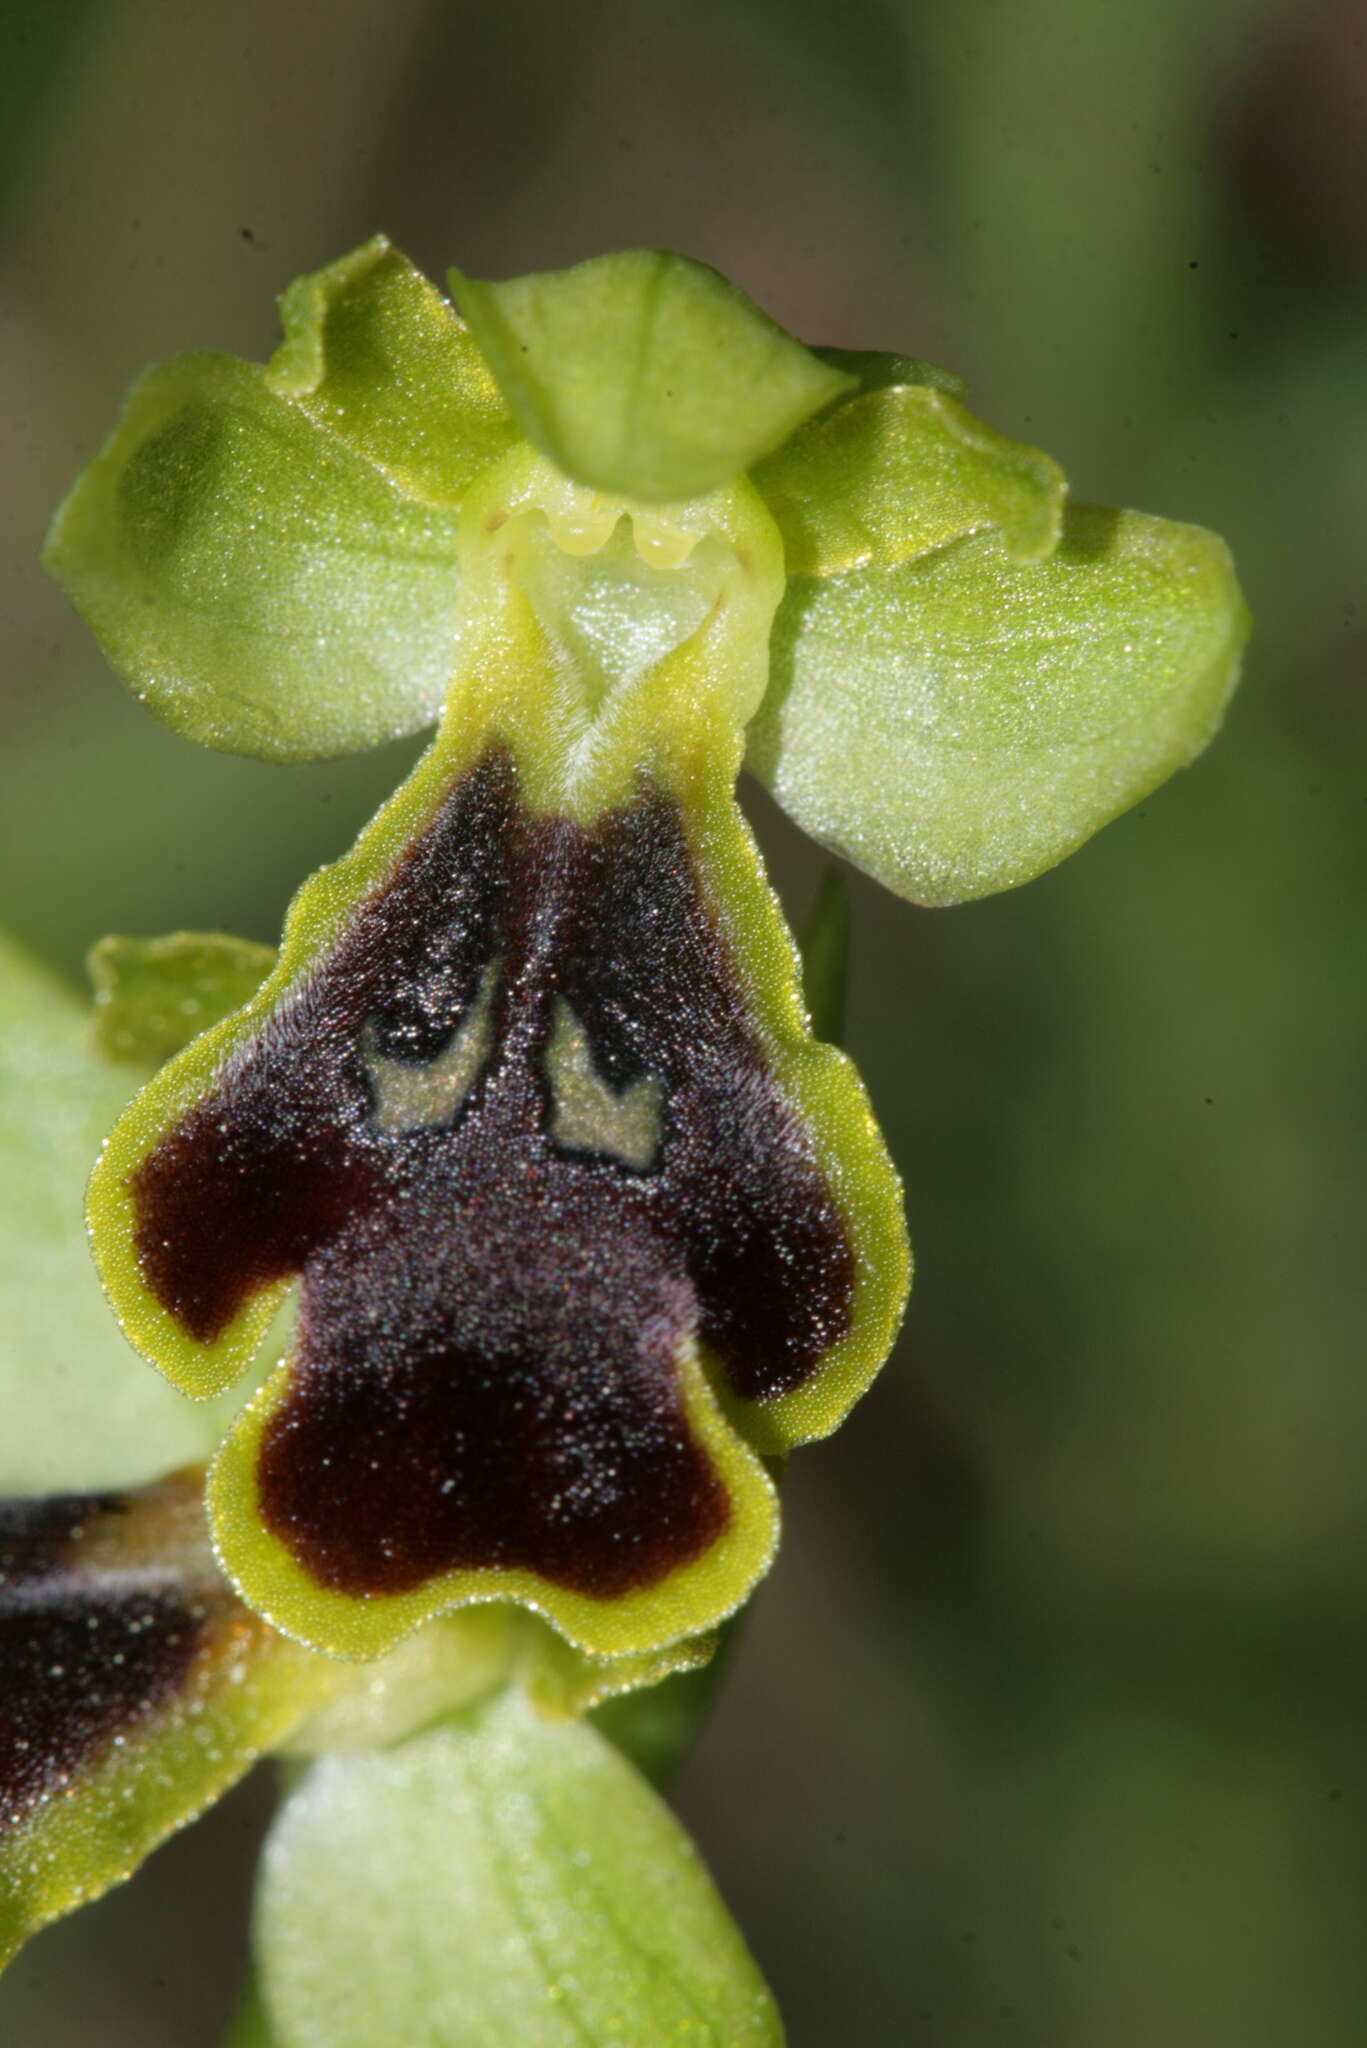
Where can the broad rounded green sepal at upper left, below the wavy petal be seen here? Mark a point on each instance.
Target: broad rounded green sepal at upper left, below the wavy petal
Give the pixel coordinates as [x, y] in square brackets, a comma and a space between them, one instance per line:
[257, 583]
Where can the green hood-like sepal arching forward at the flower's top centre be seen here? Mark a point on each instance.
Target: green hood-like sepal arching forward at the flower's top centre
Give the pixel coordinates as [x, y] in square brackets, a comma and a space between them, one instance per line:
[645, 374]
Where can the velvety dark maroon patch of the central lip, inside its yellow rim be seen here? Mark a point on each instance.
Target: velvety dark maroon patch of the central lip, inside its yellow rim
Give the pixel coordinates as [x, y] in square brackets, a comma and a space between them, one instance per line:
[493, 1320]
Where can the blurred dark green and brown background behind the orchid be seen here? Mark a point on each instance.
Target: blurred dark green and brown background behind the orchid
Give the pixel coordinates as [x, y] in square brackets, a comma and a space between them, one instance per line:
[1050, 1725]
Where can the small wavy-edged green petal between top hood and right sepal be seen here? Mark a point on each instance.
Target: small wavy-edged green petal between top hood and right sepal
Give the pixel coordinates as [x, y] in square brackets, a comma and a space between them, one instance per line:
[899, 472]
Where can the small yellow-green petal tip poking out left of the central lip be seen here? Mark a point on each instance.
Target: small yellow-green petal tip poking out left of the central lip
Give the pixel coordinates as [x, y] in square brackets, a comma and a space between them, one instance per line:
[155, 994]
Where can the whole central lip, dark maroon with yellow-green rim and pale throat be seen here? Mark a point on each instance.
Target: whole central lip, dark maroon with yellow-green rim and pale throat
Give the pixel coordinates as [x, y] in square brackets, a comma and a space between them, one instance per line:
[585, 1220]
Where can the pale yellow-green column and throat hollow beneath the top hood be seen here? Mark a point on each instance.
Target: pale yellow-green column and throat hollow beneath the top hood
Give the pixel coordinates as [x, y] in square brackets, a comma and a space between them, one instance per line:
[632, 638]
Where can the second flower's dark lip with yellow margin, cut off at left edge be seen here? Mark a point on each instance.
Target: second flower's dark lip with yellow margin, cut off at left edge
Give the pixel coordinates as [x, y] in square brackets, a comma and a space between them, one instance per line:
[134, 1691]
